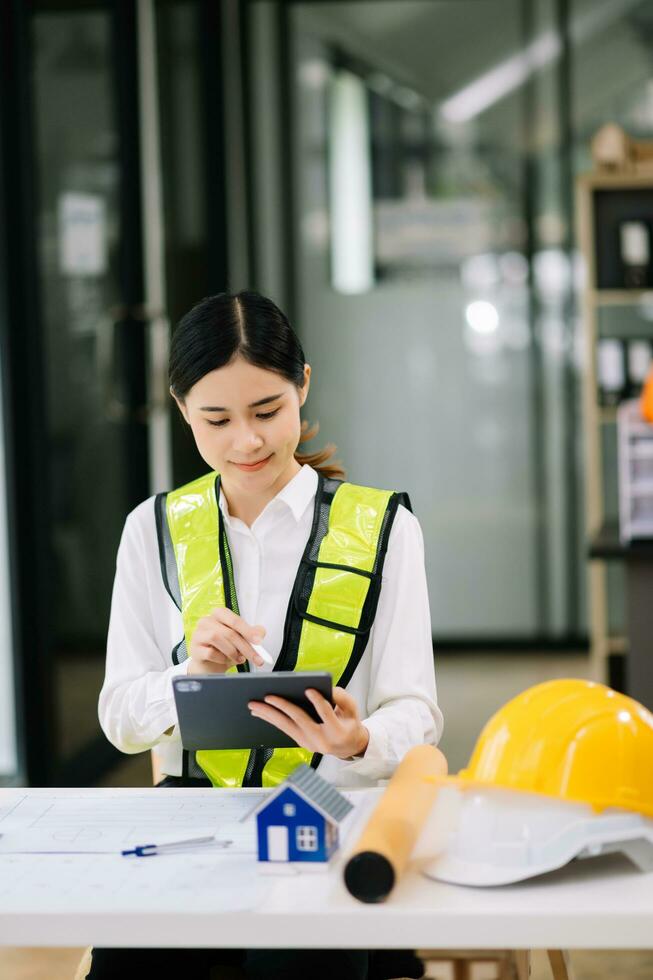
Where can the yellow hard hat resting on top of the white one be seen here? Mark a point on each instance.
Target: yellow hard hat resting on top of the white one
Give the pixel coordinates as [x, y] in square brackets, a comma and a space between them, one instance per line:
[571, 739]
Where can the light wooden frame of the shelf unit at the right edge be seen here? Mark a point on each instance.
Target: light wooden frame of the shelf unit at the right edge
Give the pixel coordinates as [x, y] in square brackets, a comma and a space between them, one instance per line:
[597, 418]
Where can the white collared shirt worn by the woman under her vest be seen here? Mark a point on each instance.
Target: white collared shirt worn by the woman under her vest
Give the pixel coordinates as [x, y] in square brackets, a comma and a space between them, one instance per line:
[394, 683]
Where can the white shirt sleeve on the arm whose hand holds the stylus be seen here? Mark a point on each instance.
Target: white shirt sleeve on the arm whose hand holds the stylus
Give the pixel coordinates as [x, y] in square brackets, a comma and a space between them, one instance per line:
[136, 706]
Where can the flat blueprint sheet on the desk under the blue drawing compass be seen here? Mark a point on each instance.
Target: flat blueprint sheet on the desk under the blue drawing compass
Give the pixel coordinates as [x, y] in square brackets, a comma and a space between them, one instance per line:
[74, 838]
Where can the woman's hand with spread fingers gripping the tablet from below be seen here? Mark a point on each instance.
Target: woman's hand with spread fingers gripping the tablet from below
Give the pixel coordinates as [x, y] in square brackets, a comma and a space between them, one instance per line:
[341, 732]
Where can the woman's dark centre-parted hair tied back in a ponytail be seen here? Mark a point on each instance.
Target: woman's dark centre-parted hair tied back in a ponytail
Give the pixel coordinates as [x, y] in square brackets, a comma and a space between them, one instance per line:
[248, 325]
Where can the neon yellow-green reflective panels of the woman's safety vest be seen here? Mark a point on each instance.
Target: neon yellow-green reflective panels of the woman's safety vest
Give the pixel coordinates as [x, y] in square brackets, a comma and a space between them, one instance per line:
[331, 608]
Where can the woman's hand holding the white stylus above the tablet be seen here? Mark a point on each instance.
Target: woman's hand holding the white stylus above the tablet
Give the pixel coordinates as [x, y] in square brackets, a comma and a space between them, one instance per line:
[222, 640]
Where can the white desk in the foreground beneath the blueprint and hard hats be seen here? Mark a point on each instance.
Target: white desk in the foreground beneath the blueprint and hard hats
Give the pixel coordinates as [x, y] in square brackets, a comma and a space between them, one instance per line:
[594, 904]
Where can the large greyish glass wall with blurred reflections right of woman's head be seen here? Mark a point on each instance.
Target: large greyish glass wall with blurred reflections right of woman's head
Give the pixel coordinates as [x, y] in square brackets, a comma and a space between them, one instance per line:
[433, 283]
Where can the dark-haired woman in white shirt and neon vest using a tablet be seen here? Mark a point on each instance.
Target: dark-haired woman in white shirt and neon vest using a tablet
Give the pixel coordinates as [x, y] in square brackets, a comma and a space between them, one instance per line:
[277, 519]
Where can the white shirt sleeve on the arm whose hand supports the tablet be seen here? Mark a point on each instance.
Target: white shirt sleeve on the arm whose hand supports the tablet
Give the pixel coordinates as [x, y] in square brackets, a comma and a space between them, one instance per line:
[402, 708]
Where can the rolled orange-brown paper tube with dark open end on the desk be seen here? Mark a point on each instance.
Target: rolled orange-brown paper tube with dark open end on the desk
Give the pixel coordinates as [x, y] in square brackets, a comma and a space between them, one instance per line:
[385, 845]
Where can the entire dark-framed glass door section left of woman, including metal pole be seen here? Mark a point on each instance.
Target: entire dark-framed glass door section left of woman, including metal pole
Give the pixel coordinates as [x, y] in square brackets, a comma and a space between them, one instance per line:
[112, 214]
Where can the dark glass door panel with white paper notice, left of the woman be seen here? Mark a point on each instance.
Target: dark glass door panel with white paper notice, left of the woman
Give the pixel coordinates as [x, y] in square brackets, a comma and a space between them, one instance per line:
[94, 341]
